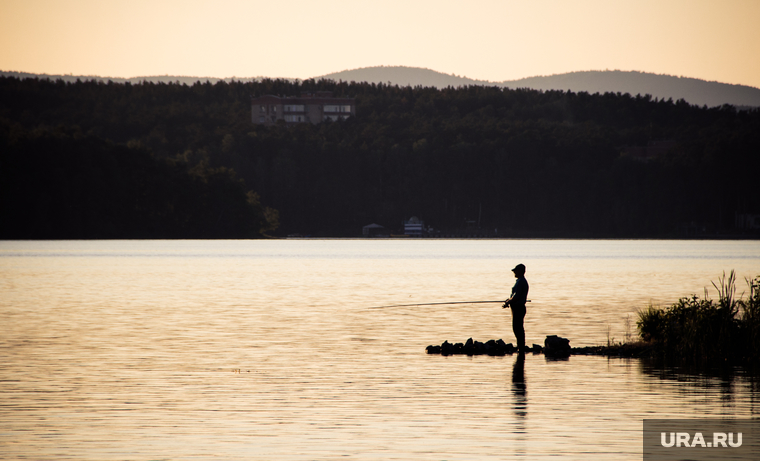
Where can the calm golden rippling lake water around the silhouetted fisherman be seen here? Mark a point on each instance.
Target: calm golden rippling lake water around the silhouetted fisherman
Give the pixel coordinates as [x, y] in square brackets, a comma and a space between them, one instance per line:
[268, 349]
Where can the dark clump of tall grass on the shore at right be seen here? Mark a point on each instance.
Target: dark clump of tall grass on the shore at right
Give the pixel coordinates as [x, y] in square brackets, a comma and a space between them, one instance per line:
[704, 331]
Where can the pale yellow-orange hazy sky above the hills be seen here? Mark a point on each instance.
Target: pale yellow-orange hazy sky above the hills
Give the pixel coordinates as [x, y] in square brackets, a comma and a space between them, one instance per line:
[482, 39]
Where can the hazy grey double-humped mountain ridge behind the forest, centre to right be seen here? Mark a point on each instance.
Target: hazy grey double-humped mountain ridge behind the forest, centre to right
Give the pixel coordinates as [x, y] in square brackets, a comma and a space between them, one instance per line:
[694, 91]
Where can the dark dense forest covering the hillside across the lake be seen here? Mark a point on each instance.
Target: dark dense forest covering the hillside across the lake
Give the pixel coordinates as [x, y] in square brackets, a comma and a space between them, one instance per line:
[105, 160]
